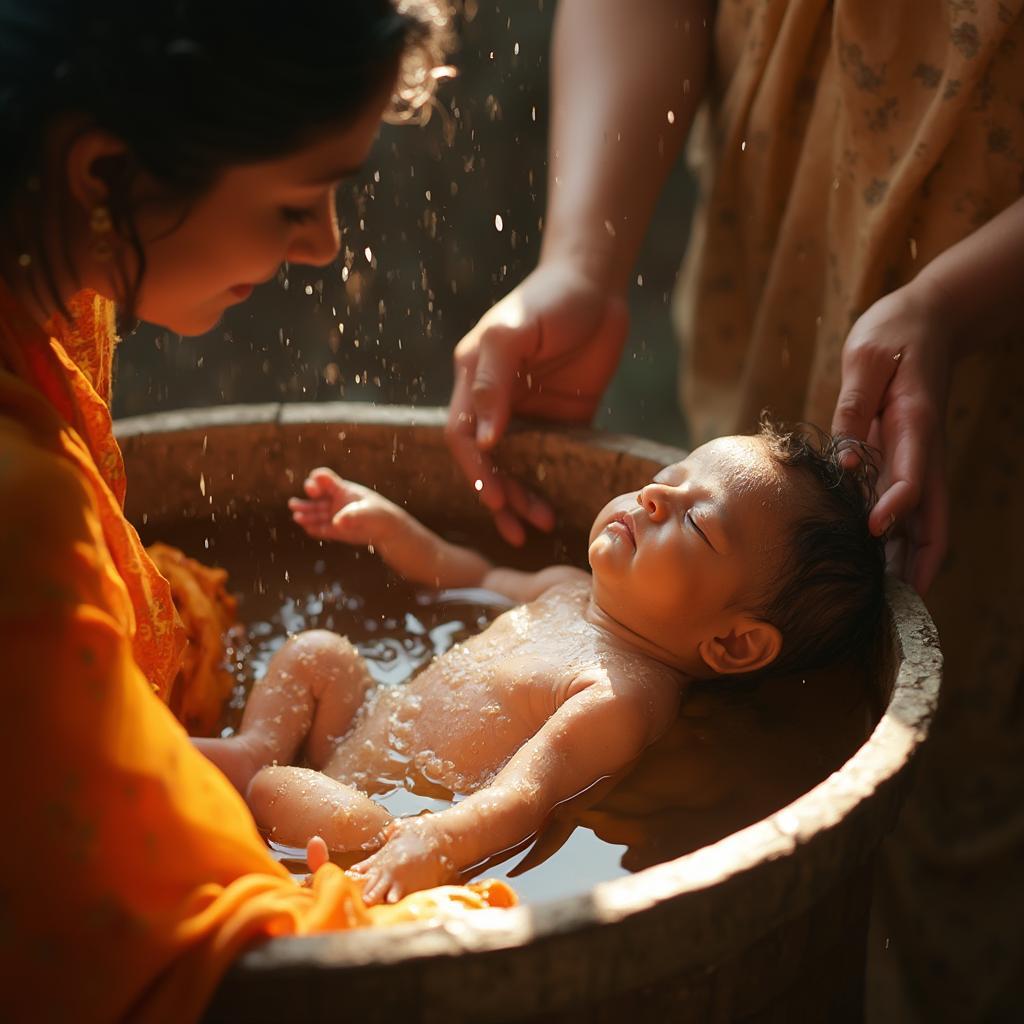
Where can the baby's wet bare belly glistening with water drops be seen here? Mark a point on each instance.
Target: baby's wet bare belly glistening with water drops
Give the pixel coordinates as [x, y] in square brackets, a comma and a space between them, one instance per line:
[456, 738]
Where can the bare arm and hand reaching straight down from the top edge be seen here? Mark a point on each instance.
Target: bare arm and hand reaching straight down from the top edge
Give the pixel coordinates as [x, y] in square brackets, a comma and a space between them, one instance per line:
[626, 82]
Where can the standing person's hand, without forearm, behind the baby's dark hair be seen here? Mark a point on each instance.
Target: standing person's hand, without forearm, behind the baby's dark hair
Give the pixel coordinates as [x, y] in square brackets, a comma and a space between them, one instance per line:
[895, 387]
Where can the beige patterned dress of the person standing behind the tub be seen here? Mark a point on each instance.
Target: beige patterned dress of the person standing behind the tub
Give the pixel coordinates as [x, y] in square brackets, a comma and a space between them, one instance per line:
[845, 146]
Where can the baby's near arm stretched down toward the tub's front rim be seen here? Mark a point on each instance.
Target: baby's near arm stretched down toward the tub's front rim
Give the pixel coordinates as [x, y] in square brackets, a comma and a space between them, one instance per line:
[599, 731]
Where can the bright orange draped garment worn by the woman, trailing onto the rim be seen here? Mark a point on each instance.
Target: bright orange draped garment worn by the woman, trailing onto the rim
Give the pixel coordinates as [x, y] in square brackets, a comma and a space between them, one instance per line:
[133, 871]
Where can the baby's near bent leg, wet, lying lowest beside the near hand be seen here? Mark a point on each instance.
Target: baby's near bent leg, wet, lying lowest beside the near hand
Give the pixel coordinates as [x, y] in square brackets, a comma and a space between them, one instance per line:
[295, 804]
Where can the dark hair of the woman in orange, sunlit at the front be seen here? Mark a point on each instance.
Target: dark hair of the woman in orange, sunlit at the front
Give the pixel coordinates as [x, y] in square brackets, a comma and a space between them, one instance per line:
[193, 88]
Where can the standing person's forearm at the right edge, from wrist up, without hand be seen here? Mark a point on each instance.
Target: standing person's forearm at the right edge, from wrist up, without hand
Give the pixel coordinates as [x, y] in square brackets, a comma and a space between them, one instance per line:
[977, 285]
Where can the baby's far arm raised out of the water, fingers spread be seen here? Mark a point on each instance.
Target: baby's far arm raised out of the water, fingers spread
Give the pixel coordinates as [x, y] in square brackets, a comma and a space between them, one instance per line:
[342, 510]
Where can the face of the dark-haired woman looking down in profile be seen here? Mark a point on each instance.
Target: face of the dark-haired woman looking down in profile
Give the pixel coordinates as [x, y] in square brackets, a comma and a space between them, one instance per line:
[238, 234]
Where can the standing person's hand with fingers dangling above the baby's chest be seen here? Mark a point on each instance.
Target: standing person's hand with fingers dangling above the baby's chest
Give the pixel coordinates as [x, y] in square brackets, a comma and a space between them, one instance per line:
[548, 350]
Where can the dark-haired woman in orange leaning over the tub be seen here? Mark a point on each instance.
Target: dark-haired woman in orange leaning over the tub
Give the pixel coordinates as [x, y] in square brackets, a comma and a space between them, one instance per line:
[166, 157]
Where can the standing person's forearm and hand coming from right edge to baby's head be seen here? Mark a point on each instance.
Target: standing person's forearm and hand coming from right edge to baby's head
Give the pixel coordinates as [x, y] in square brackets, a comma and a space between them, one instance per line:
[897, 366]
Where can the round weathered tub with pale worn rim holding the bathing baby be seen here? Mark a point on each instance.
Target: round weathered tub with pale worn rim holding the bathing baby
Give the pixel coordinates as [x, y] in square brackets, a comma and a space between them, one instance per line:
[767, 924]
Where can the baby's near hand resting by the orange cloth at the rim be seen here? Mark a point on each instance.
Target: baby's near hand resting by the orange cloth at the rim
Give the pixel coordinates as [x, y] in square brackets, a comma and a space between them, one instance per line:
[413, 858]
